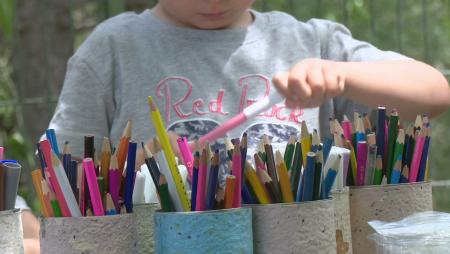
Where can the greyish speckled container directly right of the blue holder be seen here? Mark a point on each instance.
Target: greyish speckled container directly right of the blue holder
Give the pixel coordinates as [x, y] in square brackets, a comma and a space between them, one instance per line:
[306, 227]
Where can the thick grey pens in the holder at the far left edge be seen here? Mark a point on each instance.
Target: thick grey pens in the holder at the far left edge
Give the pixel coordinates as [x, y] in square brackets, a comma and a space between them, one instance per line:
[9, 181]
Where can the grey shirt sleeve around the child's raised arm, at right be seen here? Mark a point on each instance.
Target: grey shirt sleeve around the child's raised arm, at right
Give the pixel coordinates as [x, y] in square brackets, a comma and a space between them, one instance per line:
[338, 44]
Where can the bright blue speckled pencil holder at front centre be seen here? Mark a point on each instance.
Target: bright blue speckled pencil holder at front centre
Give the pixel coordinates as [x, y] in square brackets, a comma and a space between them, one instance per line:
[215, 231]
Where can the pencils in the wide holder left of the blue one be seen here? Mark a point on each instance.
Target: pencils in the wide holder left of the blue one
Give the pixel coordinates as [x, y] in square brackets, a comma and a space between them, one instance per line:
[72, 188]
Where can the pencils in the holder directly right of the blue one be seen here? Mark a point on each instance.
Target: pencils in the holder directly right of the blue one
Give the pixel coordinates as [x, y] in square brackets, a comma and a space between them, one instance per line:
[305, 172]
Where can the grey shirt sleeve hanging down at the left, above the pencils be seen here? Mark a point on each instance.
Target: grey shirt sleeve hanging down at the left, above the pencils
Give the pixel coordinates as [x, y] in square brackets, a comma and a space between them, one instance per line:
[85, 106]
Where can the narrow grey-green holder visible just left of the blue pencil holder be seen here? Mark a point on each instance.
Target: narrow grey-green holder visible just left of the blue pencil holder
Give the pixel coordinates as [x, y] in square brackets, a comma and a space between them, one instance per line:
[144, 222]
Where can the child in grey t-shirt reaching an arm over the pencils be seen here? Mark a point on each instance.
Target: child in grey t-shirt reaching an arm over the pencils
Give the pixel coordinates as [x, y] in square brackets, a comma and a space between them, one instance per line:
[205, 61]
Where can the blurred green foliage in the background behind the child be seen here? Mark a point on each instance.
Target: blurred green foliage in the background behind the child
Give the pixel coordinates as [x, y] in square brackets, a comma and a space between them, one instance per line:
[417, 28]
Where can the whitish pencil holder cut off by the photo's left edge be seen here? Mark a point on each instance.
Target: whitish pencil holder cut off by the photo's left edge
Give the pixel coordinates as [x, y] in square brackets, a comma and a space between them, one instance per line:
[11, 234]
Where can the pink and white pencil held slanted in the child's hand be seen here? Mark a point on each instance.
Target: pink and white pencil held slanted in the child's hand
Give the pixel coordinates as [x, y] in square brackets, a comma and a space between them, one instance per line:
[249, 112]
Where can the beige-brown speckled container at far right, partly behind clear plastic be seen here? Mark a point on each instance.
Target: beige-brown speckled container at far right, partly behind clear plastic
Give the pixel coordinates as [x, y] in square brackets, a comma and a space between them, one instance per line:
[385, 203]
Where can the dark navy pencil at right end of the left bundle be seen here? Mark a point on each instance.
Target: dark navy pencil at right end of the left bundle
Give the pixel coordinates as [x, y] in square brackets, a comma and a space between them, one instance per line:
[129, 180]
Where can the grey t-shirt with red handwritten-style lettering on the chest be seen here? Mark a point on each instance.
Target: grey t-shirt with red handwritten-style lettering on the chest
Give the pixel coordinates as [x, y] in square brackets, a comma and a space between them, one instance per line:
[198, 78]
